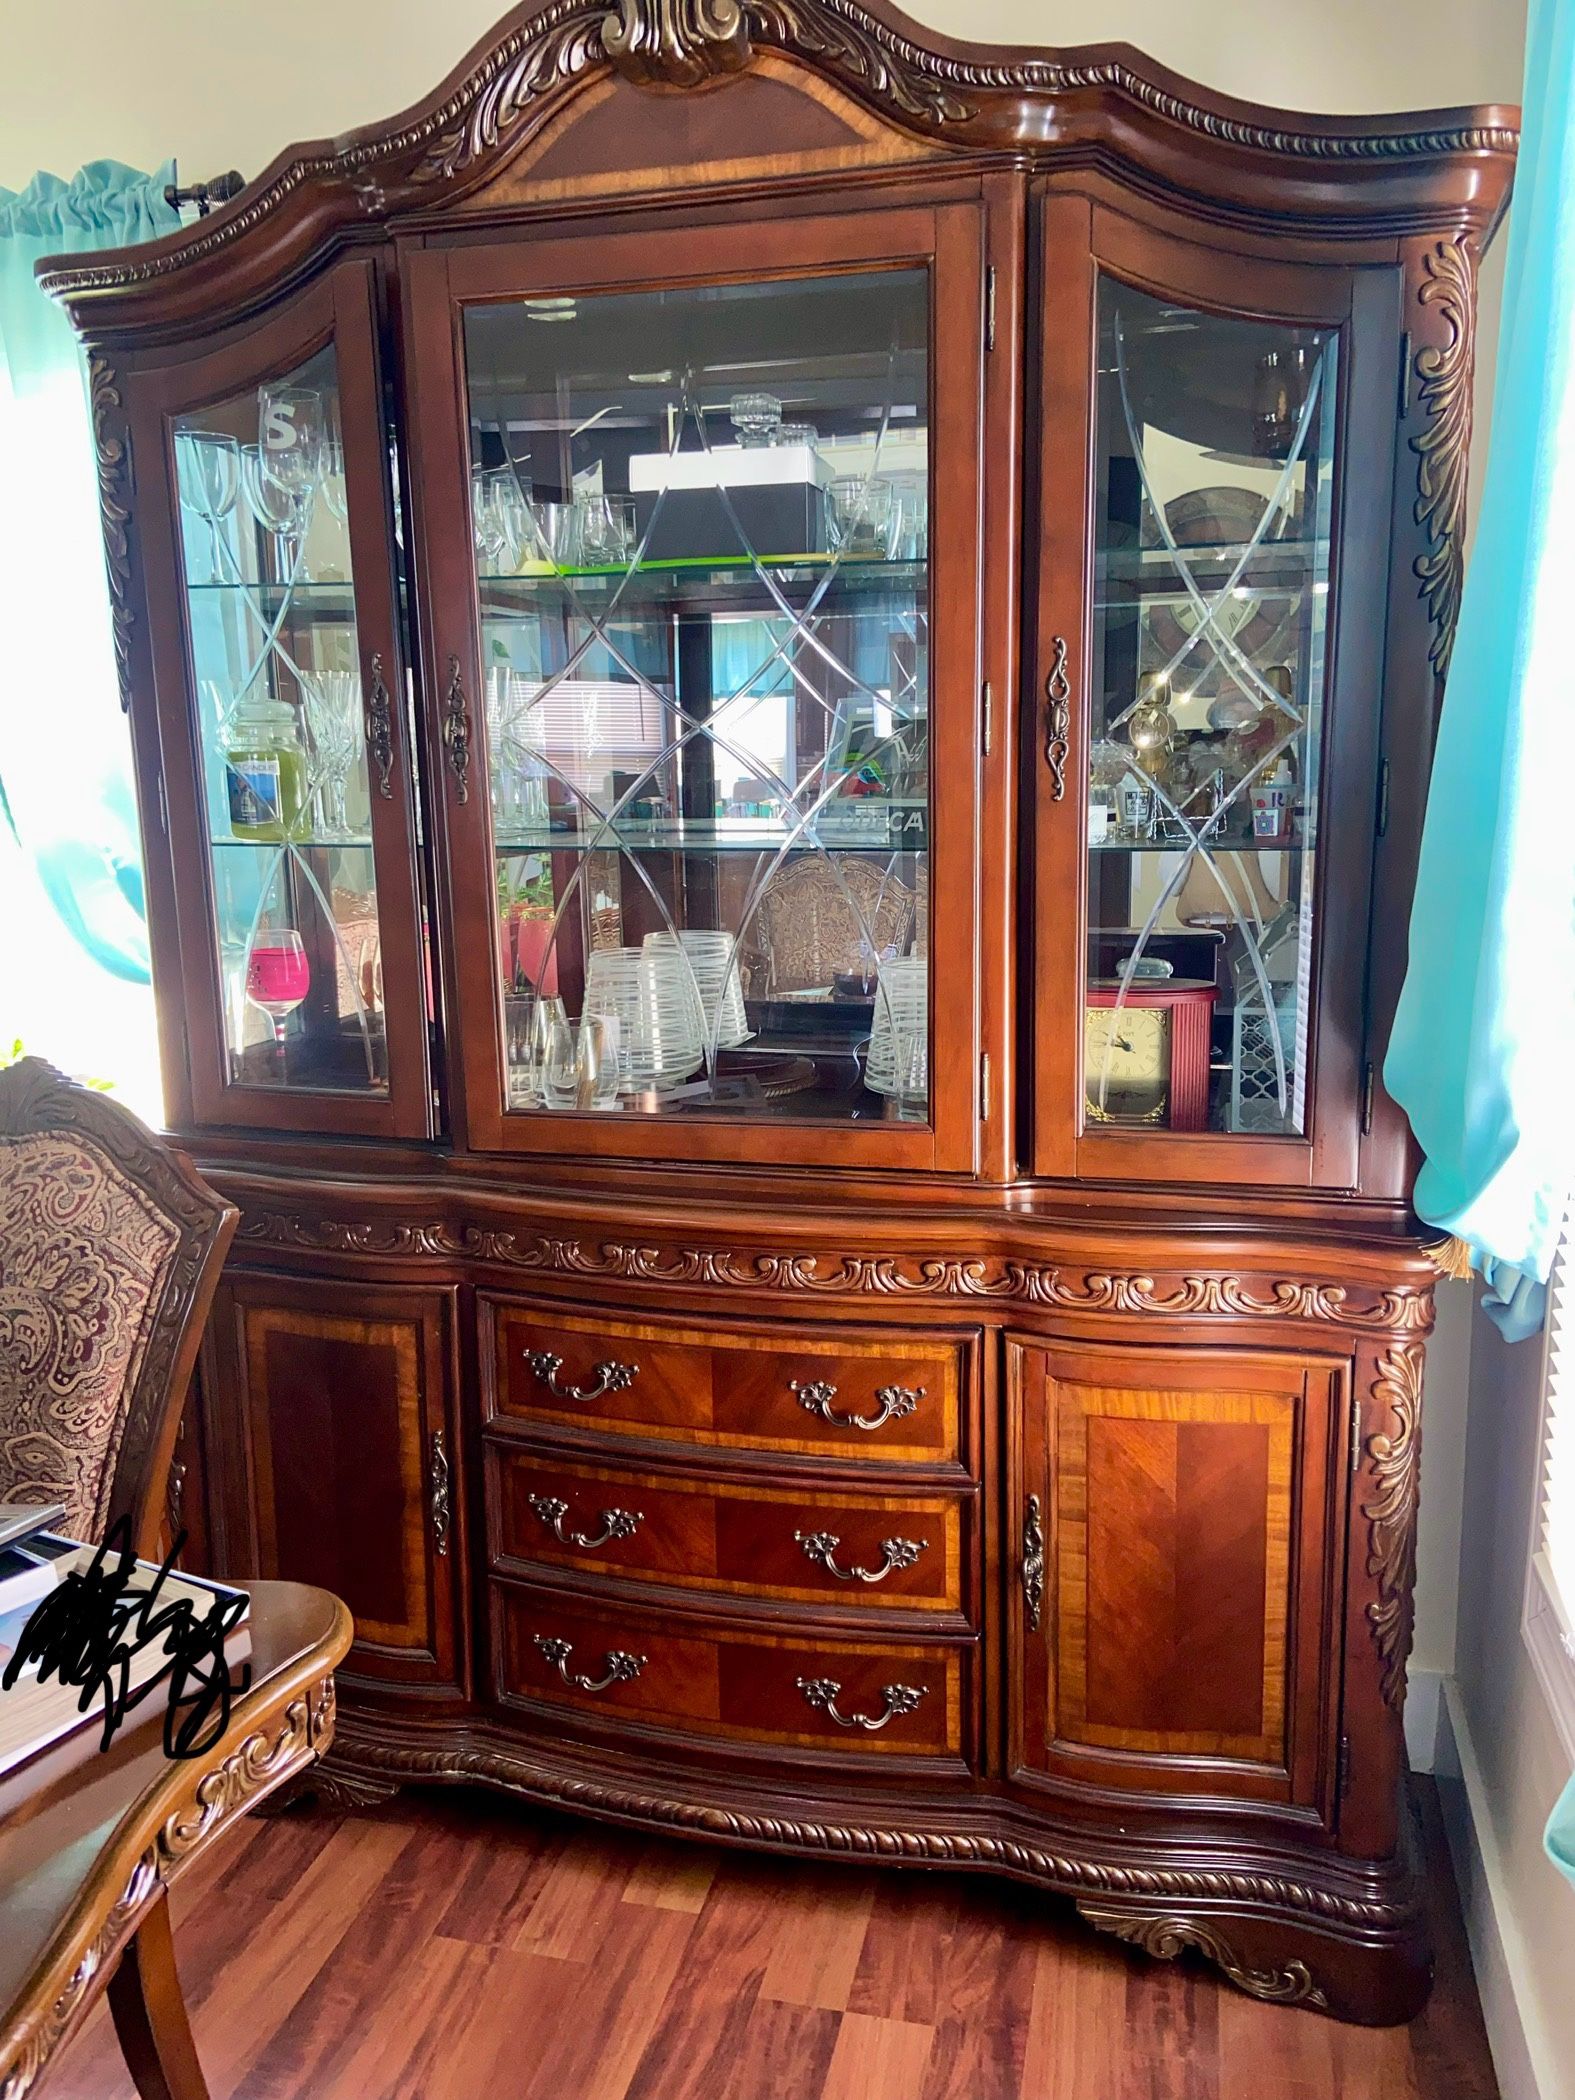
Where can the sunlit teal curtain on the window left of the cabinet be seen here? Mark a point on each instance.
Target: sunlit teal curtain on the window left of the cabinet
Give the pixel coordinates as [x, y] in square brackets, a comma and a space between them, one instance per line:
[66, 795]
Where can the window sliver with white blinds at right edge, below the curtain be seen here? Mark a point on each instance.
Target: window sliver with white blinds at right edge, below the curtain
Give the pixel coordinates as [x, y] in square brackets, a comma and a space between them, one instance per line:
[1551, 1582]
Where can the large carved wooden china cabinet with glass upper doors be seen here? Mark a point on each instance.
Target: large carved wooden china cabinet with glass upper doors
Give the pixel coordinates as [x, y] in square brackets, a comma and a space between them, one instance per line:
[782, 677]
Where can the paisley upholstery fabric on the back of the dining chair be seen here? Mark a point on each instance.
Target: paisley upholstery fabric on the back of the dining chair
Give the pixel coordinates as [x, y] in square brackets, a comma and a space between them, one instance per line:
[83, 1267]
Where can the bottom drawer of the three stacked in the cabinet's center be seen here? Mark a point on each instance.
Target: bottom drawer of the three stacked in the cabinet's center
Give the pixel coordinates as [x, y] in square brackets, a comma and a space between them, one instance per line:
[686, 1675]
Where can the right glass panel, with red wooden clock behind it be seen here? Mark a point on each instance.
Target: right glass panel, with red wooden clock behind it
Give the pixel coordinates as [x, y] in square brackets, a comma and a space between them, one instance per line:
[1215, 478]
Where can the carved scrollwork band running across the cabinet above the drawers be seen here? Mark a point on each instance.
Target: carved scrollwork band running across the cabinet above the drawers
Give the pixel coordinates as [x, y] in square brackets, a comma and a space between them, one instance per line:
[858, 1276]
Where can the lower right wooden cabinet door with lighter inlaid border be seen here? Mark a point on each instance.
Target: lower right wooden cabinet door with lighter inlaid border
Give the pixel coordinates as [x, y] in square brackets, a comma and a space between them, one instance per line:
[1177, 1566]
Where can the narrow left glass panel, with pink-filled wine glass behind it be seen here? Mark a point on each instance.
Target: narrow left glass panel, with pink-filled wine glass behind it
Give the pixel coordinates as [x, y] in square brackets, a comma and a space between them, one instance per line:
[287, 805]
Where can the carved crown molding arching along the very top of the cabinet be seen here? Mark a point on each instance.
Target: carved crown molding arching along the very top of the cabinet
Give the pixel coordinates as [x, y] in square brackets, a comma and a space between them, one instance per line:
[950, 96]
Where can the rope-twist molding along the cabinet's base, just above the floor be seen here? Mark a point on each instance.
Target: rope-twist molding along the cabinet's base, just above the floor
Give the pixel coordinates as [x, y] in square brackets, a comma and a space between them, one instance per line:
[364, 1761]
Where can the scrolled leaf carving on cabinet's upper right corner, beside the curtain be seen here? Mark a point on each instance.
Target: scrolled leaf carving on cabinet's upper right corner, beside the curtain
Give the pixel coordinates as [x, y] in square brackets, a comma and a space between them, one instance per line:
[1444, 448]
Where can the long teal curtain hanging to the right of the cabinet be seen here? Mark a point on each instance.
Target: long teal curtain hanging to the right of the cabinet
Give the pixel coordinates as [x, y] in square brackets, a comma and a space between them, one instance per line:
[1484, 1043]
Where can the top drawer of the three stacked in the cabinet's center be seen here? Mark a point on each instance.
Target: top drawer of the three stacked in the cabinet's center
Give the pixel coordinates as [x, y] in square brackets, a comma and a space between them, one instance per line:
[849, 1398]
